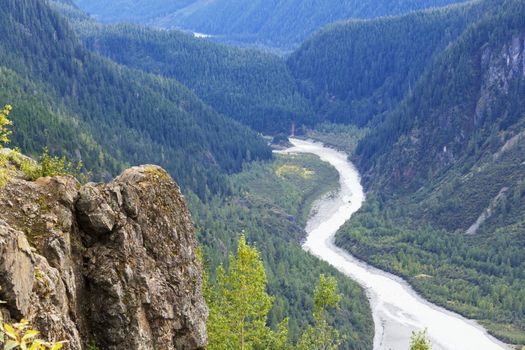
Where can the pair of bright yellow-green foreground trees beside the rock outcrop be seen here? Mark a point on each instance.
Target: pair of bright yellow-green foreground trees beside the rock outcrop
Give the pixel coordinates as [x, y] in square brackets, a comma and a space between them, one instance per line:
[239, 305]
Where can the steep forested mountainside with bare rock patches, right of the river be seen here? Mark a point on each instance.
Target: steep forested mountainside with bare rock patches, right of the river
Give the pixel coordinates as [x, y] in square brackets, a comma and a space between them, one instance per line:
[445, 174]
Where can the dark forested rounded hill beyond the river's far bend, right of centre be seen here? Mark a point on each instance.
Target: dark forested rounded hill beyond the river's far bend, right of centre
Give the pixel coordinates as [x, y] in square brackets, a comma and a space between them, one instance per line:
[356, 70]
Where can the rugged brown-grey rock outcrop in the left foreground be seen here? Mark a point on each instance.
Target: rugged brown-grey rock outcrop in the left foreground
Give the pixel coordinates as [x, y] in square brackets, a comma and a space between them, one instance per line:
[110, 263]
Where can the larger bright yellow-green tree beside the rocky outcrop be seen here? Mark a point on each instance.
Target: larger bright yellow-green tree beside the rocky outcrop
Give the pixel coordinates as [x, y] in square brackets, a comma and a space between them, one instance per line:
[239, 305]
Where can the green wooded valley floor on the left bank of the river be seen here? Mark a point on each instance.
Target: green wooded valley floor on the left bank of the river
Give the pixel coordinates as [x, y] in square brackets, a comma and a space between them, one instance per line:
[270, 208]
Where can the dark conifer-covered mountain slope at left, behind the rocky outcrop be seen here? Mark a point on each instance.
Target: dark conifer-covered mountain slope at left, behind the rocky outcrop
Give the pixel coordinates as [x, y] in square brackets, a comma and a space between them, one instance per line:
[79, 103]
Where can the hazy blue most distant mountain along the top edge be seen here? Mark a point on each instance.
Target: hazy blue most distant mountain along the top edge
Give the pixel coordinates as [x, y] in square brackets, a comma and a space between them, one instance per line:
[275, 23]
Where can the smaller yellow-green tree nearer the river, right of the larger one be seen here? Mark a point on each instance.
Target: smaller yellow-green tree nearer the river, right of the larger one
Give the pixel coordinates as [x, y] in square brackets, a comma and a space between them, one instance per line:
[322, 336]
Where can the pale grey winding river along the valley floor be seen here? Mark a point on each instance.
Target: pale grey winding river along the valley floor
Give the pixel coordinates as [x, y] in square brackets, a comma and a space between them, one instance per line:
[397, 310]
